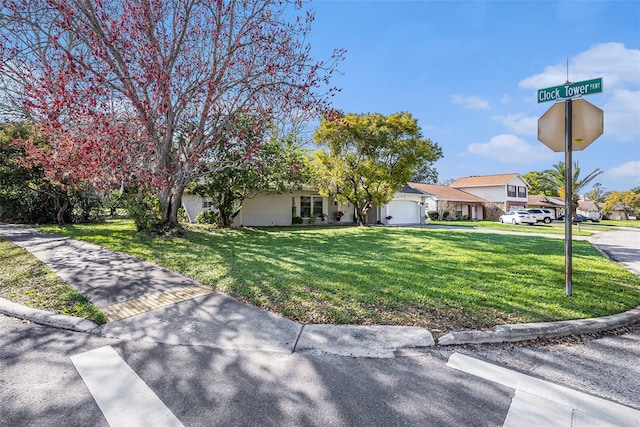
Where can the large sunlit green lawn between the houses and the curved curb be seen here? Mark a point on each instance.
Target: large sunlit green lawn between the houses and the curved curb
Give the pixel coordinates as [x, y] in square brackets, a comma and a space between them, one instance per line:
[381, 275]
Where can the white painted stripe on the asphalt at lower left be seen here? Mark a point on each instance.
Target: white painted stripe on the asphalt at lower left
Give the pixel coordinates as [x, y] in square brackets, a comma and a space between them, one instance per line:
[123, 398]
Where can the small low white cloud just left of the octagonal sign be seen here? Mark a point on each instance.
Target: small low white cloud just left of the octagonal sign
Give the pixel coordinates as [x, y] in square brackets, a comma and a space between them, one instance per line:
[511, 149]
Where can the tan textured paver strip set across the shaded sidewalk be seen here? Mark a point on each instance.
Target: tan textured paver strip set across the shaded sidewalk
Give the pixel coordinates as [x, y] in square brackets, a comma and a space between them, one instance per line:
[146, 303]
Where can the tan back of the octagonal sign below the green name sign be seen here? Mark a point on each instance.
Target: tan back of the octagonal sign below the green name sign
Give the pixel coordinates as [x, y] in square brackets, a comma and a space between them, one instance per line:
[587, 124]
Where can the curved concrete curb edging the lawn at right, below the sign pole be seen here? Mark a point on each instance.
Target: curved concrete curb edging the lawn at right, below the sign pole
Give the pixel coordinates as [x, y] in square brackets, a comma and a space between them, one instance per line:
[532, 331]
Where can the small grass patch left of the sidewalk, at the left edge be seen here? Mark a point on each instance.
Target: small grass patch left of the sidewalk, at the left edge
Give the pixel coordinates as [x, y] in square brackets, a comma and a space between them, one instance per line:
[26, 280]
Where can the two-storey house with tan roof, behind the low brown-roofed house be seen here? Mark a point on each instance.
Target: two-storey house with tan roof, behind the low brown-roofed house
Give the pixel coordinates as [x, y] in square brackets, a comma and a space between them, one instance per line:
[505, 191]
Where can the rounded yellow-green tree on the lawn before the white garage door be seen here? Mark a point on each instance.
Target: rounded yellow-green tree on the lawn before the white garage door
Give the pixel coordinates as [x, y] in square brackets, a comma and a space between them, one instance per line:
[369, 157]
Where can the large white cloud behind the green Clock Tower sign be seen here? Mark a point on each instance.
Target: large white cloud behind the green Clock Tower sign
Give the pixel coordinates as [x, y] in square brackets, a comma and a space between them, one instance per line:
[617, 65]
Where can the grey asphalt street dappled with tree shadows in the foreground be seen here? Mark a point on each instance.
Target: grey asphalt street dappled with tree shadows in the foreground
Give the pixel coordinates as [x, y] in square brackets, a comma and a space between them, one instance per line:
[203, 386]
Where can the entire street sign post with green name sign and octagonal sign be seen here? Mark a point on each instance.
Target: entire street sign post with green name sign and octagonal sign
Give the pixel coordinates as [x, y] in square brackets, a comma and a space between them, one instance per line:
[583, 123]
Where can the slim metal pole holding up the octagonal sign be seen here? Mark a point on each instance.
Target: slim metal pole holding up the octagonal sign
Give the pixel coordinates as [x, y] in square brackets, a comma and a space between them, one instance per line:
[568, 192]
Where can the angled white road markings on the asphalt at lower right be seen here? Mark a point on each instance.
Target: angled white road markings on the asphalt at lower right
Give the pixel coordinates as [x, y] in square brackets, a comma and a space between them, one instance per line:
[583, 409]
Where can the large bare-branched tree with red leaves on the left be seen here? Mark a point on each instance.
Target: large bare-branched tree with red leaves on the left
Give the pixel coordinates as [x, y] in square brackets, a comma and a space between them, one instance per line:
[147, 92]
